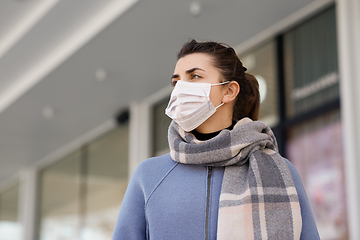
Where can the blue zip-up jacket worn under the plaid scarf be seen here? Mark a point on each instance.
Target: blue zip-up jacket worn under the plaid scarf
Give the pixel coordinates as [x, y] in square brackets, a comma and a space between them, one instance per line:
[168, 200]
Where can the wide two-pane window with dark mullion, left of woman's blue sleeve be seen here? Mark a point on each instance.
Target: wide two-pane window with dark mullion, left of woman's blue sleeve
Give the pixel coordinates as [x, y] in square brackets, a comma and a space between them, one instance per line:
[80, 195]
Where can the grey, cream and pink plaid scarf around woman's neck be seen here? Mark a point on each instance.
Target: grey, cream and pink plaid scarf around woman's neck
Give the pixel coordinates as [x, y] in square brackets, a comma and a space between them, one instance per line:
[258, 197]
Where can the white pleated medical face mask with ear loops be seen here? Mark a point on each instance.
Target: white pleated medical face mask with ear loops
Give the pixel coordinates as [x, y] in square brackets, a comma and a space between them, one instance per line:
[190, 104]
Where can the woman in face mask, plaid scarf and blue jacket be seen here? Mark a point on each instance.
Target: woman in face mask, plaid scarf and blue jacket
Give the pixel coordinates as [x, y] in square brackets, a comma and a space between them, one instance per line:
[223, 178]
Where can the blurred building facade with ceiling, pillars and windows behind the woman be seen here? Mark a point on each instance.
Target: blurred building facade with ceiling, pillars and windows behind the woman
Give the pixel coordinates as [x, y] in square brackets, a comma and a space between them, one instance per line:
[83, 97]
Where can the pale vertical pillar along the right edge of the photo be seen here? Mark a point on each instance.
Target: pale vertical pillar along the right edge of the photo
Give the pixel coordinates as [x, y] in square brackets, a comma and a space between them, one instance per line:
[348, 27]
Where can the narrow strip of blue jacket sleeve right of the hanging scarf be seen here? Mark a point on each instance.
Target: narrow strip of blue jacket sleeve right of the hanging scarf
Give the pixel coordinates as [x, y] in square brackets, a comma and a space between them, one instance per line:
[309, 230]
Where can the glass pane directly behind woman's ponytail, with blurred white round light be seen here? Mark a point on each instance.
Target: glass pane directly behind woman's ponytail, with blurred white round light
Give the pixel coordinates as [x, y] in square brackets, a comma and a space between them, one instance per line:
[261, 63]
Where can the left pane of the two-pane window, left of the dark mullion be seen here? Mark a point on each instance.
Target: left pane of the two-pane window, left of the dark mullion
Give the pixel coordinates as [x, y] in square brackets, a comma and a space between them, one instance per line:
[60, 199]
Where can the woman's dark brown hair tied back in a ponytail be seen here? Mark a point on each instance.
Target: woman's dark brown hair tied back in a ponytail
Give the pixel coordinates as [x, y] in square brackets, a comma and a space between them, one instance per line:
[247, 102]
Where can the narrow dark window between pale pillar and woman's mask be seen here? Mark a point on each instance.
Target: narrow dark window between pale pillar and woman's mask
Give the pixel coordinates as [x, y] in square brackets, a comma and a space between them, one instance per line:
[161, 124]
